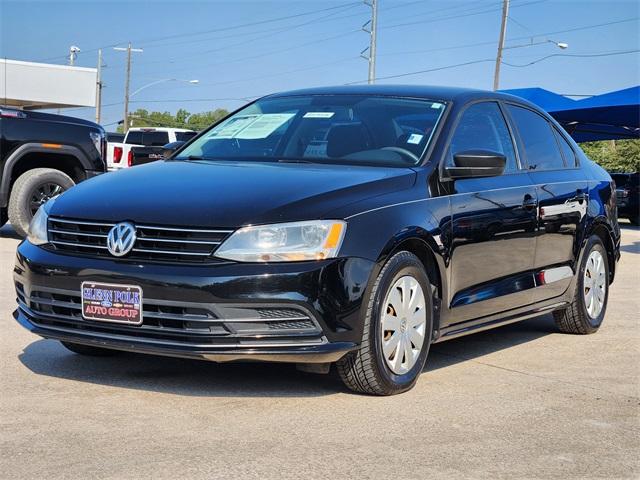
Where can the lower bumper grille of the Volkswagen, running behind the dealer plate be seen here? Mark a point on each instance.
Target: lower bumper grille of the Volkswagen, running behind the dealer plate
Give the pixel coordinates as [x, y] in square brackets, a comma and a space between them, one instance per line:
[170, 321]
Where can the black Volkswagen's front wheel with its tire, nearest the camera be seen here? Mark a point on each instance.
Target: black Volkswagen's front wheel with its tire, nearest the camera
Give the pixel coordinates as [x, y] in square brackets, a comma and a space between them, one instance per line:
[367, 370]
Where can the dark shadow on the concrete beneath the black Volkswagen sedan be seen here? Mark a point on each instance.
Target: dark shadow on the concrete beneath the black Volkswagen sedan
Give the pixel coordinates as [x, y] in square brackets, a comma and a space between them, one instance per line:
[207, 379]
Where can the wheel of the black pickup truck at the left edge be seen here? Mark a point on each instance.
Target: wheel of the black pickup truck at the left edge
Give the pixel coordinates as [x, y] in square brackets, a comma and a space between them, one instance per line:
[32, 189]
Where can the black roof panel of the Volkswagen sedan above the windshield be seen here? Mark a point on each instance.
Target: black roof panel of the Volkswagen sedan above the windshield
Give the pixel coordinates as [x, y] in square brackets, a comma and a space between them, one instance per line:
[415, 91]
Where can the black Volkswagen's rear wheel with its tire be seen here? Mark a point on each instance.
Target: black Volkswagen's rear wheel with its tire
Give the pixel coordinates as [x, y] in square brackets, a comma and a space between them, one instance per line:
[577, 318]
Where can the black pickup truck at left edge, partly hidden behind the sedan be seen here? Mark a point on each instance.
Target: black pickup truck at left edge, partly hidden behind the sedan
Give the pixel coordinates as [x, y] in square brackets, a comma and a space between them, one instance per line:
[42, 155]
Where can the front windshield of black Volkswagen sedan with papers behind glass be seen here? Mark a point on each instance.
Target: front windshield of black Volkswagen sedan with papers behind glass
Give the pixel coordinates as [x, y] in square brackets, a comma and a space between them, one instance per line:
[345, 129]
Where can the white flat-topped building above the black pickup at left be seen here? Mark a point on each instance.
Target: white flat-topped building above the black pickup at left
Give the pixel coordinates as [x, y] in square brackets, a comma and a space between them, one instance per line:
[32, 85]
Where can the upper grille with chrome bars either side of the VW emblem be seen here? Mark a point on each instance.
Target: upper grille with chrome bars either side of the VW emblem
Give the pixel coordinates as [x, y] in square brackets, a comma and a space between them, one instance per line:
[154, 243]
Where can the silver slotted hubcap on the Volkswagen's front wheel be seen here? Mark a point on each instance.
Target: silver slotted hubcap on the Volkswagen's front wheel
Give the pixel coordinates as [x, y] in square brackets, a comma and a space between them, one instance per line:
[404, 320]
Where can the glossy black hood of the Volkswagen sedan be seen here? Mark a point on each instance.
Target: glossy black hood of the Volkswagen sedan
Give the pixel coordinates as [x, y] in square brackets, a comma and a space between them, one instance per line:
[226, 194]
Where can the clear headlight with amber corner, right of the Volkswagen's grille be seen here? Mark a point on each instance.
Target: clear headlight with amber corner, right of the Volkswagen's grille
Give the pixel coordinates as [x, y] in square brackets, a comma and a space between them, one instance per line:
[285, 242]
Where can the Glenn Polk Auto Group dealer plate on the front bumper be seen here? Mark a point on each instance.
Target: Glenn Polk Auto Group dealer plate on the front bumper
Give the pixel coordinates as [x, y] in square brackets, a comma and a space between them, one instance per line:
[107, 302]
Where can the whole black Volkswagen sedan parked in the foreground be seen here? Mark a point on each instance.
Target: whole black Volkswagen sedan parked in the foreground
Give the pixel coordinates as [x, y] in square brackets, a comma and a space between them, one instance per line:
[346, 225]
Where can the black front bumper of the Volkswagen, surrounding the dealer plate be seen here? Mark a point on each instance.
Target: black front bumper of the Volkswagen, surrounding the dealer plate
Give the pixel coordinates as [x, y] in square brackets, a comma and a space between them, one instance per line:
[220, 312]
